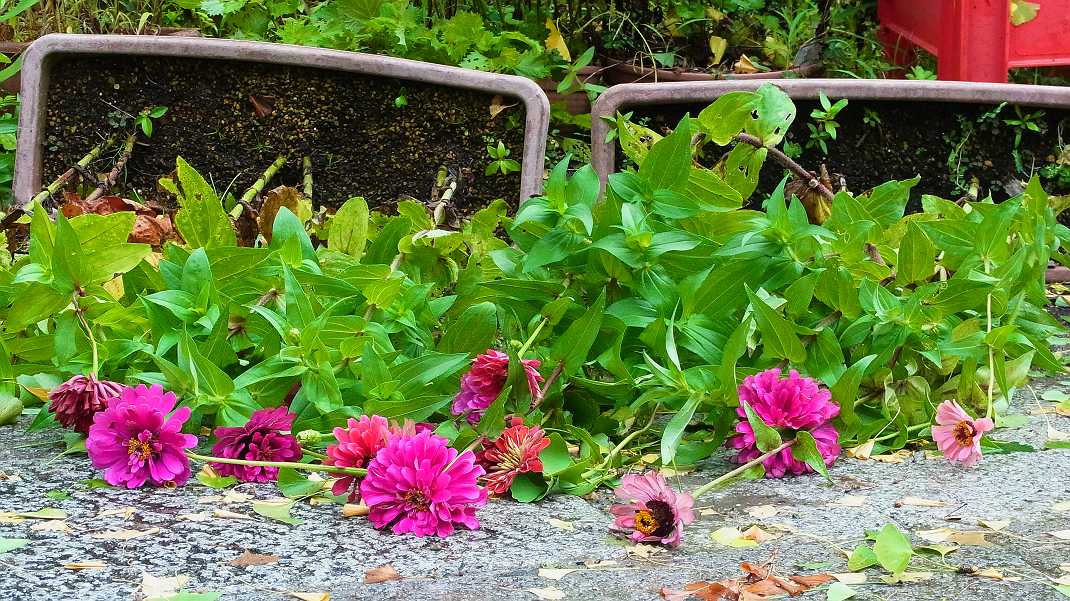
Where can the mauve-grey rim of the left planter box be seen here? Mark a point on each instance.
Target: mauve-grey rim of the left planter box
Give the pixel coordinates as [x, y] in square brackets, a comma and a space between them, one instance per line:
[41, 57]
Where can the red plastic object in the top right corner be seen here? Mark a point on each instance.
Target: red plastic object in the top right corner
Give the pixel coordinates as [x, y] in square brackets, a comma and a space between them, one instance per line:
[974, 40]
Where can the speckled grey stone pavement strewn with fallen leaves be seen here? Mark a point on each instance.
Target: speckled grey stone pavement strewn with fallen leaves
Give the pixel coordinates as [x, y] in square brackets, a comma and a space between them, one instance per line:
[331, 553]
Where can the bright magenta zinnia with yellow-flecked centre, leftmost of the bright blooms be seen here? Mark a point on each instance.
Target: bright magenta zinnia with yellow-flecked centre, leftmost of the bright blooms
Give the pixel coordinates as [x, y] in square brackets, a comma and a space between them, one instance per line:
[135, 442]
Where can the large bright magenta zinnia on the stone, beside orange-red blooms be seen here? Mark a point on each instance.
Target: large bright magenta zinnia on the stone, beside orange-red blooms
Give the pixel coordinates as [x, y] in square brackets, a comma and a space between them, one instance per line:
[419, 485]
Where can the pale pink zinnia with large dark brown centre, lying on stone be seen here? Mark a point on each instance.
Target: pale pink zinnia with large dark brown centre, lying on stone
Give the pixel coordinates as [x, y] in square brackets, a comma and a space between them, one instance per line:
[653, 512]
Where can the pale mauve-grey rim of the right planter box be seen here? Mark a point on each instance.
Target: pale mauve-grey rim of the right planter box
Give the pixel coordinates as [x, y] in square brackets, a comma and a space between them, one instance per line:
[621, 97]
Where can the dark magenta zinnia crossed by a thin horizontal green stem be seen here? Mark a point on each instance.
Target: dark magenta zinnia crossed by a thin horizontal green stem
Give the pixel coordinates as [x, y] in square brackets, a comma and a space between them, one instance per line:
[262, 439]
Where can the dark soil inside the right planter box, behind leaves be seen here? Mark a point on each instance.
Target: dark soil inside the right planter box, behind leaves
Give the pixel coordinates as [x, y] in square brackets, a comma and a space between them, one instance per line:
[913, 140]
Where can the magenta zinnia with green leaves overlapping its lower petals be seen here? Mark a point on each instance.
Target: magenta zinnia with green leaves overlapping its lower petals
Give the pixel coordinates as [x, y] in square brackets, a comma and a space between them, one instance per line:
[791, 404]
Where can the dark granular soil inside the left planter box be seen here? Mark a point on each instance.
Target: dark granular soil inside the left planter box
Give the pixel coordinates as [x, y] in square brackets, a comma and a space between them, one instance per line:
[360, 142]
